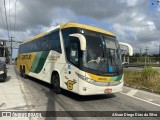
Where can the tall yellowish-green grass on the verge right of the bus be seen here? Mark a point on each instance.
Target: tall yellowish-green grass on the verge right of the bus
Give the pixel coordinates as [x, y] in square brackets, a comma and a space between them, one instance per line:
[148, 79]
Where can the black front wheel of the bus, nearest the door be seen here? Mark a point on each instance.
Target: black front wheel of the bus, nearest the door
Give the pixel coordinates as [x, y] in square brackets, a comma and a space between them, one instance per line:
[56, 84]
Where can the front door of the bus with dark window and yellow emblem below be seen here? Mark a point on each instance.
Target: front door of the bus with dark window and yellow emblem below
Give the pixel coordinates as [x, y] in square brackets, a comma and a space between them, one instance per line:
[71, 69]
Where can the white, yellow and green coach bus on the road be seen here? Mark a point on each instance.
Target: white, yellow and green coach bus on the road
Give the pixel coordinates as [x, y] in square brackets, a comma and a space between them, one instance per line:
[79, 58]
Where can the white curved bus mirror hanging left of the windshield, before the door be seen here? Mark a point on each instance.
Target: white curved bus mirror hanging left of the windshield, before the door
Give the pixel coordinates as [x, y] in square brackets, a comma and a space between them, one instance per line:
[82, 40]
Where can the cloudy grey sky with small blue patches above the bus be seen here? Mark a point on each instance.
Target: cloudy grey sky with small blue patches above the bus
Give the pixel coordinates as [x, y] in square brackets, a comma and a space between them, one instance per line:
[136, 22]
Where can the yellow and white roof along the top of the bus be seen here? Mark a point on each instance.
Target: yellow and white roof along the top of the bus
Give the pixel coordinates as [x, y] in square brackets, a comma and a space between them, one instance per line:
[68, 25]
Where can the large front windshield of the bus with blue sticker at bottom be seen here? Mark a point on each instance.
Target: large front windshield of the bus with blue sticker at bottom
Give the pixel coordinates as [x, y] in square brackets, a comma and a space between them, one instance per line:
[102, 54]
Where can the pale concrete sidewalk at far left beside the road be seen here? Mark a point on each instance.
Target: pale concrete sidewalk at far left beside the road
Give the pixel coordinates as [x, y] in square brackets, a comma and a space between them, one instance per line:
[11, 93]
